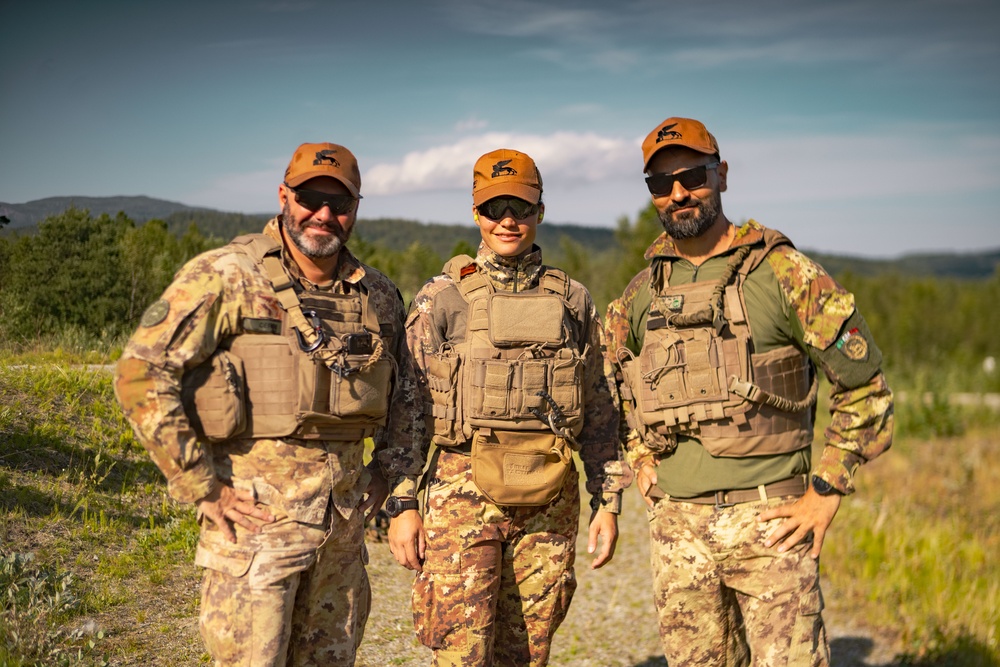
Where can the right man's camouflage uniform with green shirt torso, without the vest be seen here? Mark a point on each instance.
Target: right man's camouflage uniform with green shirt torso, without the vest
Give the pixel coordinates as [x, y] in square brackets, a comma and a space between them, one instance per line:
[719, 591]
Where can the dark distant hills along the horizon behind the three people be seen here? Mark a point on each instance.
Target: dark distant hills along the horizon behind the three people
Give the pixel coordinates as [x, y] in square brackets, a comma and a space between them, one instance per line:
[399, 234]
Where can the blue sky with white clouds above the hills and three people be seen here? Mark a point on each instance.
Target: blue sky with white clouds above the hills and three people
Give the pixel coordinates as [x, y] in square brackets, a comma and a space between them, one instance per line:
[867, 128]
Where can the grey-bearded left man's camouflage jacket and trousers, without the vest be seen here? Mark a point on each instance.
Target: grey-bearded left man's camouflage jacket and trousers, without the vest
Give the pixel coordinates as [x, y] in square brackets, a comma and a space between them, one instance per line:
[297, 591]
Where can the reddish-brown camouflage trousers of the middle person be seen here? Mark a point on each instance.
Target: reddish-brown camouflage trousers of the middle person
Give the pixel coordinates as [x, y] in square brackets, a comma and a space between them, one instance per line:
[496, 581]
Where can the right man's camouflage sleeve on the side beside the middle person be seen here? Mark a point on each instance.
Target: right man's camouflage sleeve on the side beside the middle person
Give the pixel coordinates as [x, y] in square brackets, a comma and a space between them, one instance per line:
[620, 326]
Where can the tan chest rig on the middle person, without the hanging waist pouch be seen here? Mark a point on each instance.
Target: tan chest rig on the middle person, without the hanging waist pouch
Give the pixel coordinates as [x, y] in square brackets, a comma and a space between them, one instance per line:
[519, 366]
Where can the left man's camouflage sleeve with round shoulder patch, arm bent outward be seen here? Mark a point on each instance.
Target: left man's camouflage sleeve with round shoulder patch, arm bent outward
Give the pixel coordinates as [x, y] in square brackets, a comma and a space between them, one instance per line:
[176, 333]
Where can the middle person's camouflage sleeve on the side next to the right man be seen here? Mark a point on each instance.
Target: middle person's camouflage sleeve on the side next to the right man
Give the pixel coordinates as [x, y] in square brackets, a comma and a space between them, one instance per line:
[606, 471]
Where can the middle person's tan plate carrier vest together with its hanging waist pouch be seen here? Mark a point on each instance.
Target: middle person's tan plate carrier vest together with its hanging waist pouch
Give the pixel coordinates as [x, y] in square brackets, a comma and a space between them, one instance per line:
[513, 387]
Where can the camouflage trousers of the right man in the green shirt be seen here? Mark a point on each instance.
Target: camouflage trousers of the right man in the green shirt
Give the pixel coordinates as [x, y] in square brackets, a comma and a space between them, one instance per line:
[723, 598]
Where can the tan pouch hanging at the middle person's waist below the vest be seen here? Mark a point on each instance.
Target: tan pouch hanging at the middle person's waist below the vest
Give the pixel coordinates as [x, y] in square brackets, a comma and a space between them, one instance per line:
[520, 468]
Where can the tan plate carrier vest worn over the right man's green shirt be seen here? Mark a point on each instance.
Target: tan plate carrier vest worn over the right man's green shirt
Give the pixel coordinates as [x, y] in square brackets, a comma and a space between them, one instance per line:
[697, 374]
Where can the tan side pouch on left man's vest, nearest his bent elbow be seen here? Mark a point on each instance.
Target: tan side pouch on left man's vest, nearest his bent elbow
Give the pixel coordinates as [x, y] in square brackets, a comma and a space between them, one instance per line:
[213, 394]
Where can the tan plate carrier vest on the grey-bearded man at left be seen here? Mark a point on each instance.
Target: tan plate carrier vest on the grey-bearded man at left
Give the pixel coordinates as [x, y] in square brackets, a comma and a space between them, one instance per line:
[321, 372]
